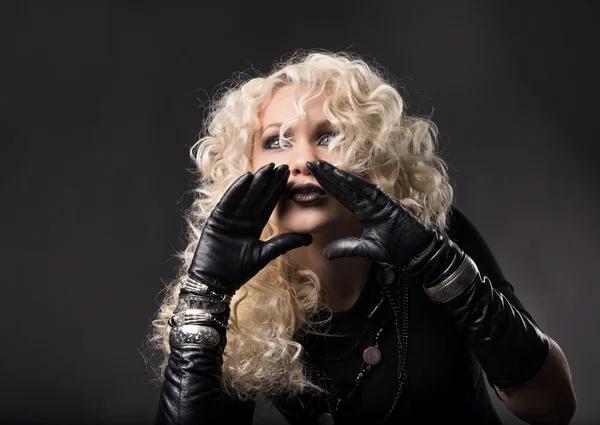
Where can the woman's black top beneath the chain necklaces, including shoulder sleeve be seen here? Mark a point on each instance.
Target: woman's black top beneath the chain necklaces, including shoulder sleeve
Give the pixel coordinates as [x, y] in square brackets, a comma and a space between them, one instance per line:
[444, 380]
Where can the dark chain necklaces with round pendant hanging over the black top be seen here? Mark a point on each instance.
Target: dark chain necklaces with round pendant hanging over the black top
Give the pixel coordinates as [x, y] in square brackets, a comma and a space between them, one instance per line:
[400, 314]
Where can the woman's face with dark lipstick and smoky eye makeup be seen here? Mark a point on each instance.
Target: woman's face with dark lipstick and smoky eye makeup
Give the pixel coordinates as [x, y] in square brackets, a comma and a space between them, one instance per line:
[310, 137]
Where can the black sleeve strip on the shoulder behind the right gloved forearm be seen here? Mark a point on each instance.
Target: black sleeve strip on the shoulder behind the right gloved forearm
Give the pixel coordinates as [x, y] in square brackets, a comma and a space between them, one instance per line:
[467, 237]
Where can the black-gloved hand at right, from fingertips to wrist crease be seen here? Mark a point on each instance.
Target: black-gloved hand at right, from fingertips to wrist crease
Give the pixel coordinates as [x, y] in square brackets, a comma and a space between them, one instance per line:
[391, 234]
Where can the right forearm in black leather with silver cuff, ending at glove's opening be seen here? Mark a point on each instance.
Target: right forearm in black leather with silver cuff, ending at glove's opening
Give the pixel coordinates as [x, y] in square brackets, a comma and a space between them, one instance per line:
[507, 344]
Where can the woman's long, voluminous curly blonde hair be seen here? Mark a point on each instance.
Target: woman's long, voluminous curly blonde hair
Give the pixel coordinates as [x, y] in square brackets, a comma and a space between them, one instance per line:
[375, 138]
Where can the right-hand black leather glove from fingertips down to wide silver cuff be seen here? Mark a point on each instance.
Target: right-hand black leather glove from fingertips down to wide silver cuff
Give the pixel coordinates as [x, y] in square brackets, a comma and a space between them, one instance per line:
[392, 234]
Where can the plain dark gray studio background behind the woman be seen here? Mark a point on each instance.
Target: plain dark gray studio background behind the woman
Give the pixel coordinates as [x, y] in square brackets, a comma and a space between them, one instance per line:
[101, 100]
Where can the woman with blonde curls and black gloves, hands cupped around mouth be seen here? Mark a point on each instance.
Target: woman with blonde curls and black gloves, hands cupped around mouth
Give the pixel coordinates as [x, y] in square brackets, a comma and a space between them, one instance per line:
[328, 272]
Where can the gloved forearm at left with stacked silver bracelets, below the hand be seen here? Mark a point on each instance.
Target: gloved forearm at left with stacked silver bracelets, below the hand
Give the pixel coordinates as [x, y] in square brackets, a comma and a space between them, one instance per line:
[192, 390]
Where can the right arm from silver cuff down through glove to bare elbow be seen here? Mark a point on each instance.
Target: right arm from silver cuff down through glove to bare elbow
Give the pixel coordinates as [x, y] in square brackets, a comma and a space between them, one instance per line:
[528, 370]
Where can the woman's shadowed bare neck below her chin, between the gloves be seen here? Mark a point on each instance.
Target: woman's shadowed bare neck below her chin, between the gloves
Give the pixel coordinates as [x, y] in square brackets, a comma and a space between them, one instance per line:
[342, 279]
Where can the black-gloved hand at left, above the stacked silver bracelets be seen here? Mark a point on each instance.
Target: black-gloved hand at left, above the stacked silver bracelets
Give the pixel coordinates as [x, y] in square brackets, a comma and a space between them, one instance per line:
[229, 252]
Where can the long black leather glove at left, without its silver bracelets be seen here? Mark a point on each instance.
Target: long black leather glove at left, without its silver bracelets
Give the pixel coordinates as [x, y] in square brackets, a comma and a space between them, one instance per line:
[228, 254]
